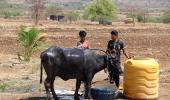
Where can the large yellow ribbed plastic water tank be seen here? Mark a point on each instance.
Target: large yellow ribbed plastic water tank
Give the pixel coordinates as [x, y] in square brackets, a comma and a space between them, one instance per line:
[141, 78]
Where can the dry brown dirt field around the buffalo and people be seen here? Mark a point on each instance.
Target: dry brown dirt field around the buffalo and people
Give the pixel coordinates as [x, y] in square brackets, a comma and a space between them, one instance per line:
[19, 80]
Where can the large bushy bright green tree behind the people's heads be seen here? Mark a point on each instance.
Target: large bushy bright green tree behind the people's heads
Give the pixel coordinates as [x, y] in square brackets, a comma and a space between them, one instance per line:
[101, 10]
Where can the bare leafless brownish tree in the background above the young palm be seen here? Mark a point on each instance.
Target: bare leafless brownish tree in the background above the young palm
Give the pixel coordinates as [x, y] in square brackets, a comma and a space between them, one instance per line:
[37, 7]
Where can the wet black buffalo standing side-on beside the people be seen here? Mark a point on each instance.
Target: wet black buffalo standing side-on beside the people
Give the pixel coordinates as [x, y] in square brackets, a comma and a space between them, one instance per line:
[67, 63]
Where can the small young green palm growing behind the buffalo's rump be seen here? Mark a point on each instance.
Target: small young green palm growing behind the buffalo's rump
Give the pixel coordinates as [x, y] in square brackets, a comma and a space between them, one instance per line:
[31, 40]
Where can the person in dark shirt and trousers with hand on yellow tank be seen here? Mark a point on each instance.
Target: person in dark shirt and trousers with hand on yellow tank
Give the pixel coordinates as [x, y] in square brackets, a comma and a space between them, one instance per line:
[115, 46]
